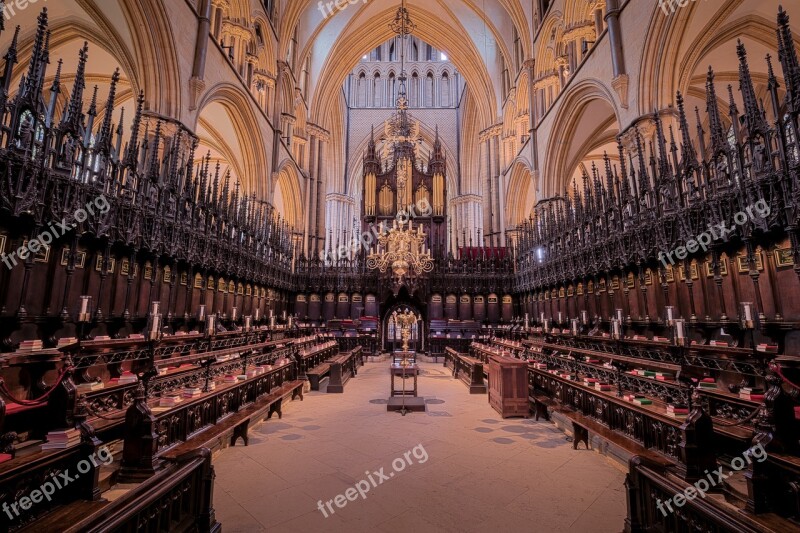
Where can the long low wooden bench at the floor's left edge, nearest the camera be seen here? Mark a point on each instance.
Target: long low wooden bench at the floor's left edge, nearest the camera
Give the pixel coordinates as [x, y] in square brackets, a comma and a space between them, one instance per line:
[236, 425]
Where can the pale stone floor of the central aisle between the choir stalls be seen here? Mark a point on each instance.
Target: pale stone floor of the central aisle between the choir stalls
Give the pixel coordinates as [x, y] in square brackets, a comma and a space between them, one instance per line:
[468, 470]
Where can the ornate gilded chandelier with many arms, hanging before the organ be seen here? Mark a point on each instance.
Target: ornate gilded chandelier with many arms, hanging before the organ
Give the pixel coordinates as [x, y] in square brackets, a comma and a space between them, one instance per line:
[402, 251]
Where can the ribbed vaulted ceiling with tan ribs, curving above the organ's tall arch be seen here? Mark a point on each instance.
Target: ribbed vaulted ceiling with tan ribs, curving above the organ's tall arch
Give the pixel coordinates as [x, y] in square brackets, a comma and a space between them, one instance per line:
[474, 40]
